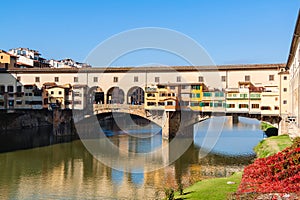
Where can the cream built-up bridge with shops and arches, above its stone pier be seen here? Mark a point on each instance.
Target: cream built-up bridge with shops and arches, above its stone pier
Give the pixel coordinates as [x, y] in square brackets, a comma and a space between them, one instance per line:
[199, 90]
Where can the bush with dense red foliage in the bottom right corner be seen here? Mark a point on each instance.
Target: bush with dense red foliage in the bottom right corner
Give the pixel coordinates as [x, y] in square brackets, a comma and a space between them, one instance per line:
[279, 173]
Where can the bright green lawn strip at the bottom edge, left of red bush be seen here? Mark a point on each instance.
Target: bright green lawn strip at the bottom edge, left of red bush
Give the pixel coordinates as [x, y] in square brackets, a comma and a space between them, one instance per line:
[216, 188]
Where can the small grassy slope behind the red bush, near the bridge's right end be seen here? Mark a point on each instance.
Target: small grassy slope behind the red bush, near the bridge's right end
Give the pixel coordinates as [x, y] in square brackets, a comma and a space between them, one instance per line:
[272, 145]
